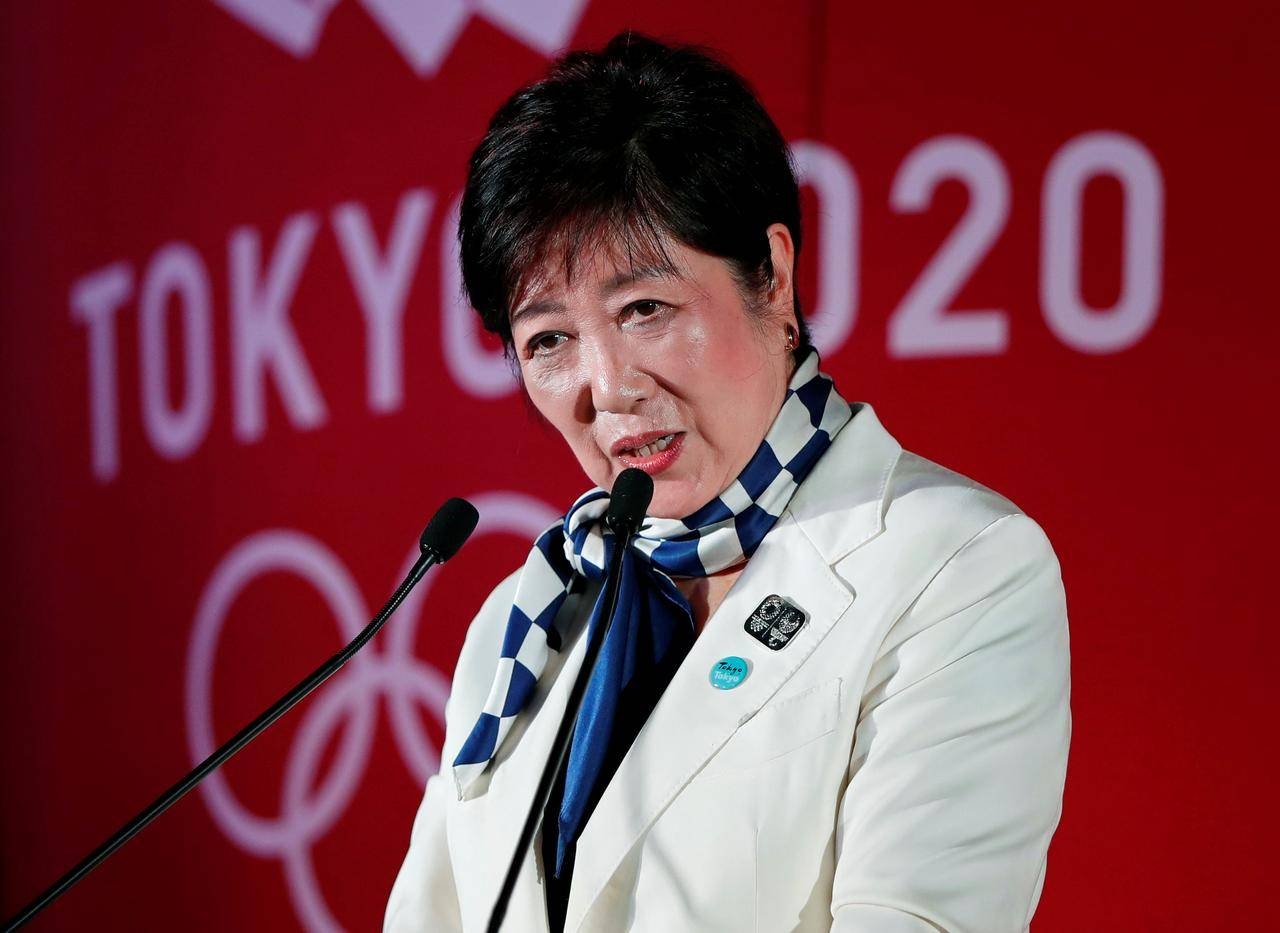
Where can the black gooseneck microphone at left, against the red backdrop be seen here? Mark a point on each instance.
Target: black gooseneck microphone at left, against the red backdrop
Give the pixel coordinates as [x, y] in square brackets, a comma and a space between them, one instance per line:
[447, 532]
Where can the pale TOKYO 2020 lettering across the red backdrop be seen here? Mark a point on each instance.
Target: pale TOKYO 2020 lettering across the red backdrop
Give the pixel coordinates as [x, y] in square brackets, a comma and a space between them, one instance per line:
[266, 349]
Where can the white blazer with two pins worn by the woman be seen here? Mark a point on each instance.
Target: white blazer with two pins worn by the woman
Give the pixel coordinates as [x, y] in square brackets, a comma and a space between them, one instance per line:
[897, 767]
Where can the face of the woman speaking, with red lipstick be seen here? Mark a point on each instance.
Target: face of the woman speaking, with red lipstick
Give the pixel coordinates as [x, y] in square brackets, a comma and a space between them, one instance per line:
[669, 373]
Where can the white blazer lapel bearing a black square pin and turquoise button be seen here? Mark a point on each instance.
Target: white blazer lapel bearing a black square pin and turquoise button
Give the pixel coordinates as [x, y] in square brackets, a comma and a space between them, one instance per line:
[694, 720]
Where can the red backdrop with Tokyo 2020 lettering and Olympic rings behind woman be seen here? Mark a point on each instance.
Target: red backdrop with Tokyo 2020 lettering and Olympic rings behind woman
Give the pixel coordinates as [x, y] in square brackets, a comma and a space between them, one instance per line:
[237, 381]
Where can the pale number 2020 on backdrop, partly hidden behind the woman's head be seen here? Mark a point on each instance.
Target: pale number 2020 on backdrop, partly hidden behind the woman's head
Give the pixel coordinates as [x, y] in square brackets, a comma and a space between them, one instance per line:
[924, 324]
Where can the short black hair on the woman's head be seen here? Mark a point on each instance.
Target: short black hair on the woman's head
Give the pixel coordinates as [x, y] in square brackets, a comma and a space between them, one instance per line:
[621, 147]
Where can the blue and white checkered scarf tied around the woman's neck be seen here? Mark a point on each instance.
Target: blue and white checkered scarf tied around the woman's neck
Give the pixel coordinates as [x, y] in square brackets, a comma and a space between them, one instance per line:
[653, 618]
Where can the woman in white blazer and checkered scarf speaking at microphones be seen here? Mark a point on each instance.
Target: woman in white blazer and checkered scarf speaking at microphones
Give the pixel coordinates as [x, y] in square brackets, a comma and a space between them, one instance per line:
[838, 697]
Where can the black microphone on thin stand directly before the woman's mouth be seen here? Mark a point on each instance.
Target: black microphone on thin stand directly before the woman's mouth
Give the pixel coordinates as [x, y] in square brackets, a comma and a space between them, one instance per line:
[629, 501]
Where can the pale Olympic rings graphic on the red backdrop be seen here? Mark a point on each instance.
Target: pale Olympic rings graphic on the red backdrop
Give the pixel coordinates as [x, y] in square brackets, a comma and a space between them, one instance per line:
[351, 698]
